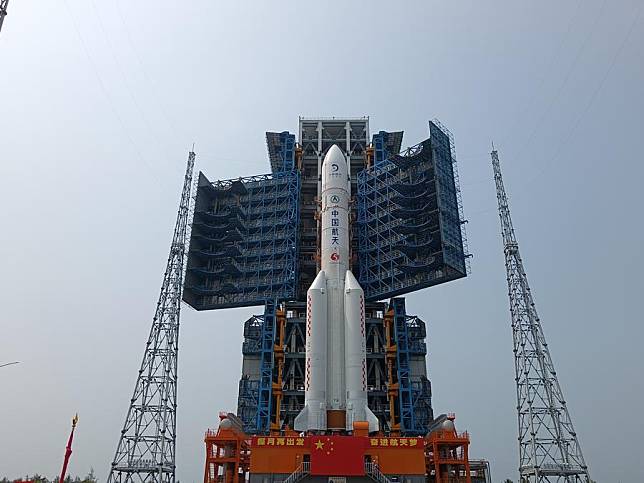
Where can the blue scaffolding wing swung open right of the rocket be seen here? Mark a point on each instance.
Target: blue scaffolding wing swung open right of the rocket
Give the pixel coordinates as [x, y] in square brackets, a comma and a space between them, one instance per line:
[409, 225]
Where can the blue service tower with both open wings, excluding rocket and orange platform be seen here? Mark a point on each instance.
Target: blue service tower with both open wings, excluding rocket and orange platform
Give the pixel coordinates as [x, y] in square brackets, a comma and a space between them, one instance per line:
[255, 241]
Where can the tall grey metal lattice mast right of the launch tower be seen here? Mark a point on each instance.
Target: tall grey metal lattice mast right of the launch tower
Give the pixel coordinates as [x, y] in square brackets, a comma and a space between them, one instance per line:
[549, 450]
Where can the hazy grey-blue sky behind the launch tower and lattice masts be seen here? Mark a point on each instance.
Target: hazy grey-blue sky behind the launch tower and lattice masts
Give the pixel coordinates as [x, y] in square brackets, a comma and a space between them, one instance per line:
[101, 101]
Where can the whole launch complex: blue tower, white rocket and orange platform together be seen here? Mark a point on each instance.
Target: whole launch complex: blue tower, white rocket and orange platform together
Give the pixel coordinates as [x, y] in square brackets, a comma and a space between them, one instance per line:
[334, 382]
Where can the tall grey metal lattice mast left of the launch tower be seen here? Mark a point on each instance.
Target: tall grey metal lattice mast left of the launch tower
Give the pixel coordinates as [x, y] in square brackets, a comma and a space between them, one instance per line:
[146, 448]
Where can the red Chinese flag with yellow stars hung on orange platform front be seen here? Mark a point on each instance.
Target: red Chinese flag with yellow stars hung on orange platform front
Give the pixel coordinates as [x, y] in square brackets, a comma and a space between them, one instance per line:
[337, 455]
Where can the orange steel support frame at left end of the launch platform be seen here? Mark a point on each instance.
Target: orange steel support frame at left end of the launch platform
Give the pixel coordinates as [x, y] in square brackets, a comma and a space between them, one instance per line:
[227, 455]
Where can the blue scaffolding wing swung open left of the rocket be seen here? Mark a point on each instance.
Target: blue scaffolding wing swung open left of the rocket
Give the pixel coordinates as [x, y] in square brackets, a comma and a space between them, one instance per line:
[244, 242]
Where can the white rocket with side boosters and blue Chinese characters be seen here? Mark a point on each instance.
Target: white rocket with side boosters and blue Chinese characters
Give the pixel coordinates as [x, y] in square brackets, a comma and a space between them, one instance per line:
[335, 394]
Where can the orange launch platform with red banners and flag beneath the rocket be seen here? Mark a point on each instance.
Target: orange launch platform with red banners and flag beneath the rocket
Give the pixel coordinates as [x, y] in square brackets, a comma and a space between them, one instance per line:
[290, 457]
